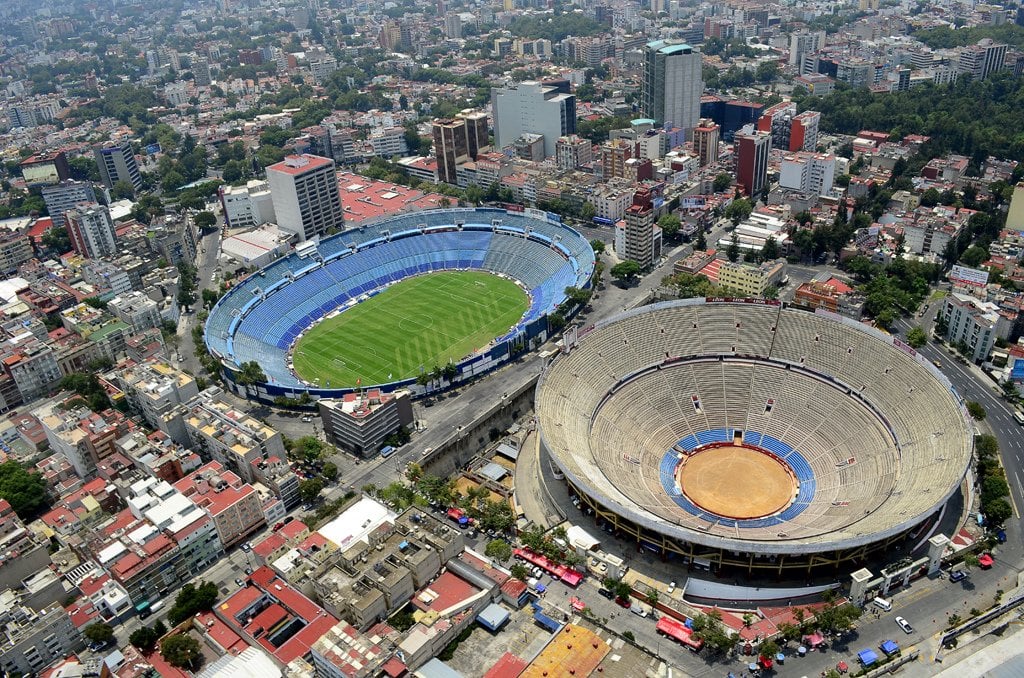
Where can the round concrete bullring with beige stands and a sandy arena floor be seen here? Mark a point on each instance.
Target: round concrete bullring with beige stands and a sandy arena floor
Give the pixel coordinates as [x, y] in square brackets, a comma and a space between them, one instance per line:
[753, 436]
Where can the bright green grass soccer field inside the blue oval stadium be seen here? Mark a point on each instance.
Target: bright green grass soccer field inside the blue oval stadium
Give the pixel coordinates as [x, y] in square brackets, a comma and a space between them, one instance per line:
[424, 321]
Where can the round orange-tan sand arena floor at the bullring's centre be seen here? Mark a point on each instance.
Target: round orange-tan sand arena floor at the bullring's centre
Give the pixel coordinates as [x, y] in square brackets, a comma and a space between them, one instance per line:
[737, 482]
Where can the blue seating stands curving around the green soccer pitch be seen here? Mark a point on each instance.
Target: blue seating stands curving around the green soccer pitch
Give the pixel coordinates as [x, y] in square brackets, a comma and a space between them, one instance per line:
[295, 291]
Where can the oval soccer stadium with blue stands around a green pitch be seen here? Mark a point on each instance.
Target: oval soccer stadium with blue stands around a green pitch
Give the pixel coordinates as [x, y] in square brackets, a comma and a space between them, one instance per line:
[382, 304]
